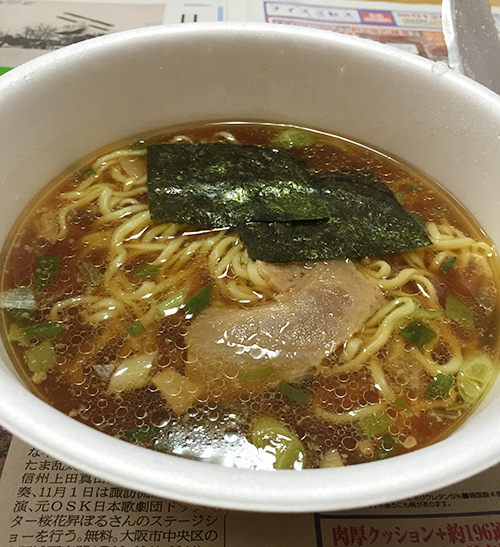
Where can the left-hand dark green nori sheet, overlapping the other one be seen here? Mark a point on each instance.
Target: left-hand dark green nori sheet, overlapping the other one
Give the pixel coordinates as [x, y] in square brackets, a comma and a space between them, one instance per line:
[219, 185]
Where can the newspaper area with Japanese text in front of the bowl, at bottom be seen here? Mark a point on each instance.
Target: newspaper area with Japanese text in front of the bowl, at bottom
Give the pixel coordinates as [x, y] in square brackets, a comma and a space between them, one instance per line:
[46, 503]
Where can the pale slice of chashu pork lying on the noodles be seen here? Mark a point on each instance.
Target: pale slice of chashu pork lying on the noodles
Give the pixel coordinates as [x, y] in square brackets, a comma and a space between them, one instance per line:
[318, 307]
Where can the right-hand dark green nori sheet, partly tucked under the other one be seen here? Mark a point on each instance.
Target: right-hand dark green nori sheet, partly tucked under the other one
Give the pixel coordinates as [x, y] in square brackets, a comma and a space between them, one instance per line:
[365, 219]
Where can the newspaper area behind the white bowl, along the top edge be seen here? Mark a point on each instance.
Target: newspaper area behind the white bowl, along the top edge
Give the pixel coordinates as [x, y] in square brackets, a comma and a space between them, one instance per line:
[29, 28]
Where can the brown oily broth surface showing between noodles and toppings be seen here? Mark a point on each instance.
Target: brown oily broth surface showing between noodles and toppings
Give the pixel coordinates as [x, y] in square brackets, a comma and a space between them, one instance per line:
[86, 353]
